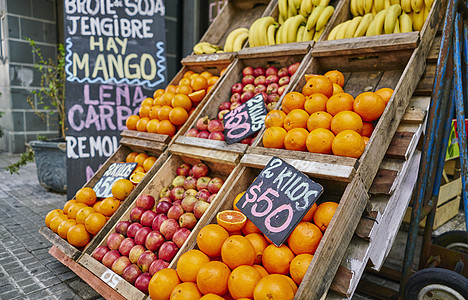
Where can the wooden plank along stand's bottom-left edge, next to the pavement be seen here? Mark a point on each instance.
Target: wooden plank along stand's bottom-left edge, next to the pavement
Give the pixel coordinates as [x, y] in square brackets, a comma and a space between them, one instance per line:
[96, 283]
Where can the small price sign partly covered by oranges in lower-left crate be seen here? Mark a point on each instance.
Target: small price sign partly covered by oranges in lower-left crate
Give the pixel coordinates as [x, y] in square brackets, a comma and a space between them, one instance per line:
[115, 172]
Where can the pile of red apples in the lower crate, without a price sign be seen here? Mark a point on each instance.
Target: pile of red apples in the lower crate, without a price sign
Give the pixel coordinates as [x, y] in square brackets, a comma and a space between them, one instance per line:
[151, 238]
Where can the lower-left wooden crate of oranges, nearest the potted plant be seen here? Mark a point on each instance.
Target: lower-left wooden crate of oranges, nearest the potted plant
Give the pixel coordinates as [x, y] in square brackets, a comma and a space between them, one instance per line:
[119, 156]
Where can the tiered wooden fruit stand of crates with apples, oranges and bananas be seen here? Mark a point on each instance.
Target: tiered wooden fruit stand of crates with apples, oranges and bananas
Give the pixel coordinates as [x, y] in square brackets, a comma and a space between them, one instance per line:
[364, 189]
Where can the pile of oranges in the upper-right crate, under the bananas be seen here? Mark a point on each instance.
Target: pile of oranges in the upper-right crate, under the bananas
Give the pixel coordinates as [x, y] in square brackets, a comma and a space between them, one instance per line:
[324, 119]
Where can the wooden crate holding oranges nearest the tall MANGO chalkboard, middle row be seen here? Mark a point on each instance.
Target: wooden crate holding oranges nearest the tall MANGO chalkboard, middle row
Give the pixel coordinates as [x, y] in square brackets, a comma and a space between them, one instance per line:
[160, 141]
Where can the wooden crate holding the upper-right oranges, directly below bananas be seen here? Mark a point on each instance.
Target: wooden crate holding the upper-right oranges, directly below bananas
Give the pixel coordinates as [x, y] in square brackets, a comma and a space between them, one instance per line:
[397, 70]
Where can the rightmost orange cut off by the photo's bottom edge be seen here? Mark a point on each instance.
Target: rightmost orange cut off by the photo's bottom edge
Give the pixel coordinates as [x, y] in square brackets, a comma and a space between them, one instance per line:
[273, 287]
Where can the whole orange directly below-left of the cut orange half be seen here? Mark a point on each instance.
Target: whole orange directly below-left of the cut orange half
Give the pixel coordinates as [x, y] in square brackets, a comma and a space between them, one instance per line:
[210, 239]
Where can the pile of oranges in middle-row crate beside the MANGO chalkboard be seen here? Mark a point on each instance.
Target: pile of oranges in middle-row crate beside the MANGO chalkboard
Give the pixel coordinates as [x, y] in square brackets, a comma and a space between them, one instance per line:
[170, 107]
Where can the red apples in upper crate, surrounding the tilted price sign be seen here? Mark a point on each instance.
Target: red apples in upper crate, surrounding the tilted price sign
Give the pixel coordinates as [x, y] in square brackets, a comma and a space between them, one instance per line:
[270, 82]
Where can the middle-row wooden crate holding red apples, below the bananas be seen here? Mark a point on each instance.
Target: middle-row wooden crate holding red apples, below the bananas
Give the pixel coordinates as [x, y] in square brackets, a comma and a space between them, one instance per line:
[205, 148]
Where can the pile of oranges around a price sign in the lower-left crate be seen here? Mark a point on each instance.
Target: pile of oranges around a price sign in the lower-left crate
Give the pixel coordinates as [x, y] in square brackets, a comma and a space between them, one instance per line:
[82, 217]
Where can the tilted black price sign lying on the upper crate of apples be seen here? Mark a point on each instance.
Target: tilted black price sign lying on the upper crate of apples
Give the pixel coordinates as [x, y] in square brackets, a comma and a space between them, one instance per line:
[244, 120]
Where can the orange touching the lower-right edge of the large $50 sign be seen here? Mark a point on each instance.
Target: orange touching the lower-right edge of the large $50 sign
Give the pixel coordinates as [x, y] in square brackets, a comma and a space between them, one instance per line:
[305, 238]
